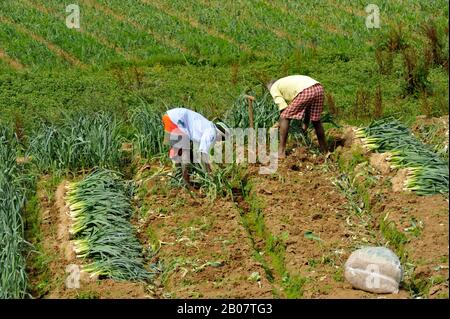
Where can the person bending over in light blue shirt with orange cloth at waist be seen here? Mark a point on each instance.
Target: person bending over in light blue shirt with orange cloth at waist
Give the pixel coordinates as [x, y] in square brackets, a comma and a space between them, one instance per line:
[185, 126]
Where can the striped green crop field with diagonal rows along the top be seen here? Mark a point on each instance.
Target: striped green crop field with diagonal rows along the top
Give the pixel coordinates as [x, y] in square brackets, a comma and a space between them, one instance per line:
[113, 30]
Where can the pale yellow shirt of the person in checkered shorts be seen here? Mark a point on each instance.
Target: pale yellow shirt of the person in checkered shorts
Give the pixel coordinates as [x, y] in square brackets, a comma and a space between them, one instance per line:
[284, 90]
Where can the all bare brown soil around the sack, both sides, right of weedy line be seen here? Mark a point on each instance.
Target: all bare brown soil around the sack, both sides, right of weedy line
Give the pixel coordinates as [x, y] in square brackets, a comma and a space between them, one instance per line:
[303, 199]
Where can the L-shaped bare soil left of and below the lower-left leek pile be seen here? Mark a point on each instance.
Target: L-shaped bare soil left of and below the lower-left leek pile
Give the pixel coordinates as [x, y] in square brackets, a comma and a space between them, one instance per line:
[55, 223]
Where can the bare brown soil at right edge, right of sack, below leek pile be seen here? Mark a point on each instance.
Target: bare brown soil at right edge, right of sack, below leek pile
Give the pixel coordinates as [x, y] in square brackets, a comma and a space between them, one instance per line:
[428, 249]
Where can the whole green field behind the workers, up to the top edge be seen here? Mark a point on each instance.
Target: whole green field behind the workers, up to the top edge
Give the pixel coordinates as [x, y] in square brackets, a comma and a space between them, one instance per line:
[204, 54]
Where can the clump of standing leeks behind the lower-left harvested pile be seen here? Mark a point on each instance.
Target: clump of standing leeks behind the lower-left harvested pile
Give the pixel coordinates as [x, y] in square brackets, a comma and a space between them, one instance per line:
[81, 141]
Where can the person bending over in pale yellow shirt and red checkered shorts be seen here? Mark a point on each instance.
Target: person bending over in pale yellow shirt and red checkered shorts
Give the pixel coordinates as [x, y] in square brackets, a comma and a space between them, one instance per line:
[305, 98]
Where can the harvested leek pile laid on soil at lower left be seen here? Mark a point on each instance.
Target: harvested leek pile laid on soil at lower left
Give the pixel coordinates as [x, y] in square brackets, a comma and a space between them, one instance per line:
[100, 209]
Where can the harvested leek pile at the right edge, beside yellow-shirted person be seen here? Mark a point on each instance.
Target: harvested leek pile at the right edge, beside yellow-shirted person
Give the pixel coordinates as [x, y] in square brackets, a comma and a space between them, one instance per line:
[427, 171]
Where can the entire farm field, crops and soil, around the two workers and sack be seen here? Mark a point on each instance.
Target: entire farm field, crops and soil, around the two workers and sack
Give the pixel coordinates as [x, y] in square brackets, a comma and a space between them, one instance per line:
[86, 184]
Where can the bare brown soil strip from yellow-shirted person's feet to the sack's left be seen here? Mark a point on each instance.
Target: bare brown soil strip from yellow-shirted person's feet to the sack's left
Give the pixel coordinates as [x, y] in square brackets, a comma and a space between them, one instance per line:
[303, 203]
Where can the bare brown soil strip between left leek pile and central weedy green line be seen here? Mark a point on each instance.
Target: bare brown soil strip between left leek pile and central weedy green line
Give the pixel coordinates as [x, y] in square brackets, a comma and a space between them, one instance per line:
[195, 232]
